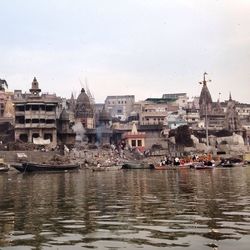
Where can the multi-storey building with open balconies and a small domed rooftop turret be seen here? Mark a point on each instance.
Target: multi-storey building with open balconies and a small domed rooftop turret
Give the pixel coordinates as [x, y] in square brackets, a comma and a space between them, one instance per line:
[35, 115]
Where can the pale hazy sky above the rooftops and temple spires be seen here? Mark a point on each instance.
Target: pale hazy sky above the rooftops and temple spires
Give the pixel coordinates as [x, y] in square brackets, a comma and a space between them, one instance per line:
[144, 48]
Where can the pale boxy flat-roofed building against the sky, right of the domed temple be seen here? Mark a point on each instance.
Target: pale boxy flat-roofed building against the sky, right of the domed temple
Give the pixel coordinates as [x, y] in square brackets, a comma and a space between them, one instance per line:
[120, 106]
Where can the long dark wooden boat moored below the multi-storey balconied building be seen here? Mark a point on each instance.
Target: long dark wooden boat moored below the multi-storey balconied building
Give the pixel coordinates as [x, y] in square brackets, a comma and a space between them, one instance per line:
[37, 167]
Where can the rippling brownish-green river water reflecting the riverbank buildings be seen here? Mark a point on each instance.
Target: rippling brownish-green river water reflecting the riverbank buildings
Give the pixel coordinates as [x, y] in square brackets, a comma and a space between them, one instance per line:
[126, 209]
